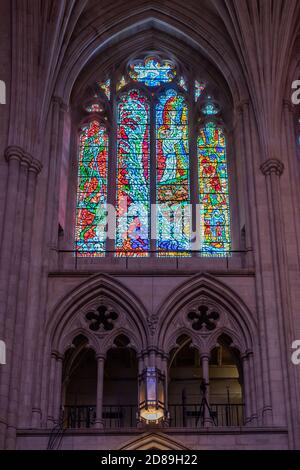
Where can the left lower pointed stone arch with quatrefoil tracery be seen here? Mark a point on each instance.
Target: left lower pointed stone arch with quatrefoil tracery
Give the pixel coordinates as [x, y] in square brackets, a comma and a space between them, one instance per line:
[64, 323]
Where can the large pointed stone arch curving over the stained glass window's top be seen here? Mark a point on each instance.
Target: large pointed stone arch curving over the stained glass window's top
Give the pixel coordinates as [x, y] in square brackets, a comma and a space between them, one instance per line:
[126, 27]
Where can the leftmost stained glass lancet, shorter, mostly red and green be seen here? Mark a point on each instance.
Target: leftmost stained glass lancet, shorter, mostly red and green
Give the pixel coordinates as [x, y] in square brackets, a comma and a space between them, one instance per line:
[90, 233]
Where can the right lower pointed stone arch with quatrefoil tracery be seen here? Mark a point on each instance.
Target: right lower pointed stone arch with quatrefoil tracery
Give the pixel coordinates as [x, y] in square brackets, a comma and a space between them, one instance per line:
[235, 318]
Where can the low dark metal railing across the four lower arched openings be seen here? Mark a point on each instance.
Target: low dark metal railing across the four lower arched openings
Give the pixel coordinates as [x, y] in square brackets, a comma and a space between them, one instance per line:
[186, 416]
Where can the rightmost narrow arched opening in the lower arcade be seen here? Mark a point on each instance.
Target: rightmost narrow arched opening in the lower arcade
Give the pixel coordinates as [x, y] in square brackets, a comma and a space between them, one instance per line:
[226, 383]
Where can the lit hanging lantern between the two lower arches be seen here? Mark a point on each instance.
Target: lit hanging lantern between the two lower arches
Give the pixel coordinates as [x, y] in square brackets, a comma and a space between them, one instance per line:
[152, 395]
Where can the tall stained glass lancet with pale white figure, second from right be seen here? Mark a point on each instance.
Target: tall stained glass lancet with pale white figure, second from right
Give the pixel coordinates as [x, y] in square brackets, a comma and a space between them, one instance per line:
[172, 174]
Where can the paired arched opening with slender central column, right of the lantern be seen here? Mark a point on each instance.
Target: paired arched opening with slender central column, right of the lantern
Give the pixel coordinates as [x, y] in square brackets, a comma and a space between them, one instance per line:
[203, 390]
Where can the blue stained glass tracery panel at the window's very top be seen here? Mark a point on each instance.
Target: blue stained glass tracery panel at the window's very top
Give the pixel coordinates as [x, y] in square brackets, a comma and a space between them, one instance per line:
[152, 72]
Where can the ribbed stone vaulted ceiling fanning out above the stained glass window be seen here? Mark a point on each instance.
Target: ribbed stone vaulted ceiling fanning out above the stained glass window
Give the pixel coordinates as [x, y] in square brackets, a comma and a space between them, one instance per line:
[252, 44]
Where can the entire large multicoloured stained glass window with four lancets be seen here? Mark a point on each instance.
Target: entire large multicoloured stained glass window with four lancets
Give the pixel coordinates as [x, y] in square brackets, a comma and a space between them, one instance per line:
[146, 105]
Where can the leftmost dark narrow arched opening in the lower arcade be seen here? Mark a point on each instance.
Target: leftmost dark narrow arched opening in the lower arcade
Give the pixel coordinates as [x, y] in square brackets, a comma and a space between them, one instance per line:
[79, 385]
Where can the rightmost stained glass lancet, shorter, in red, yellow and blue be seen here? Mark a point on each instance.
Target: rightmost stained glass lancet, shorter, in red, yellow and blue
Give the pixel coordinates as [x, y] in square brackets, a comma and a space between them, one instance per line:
[214, 198]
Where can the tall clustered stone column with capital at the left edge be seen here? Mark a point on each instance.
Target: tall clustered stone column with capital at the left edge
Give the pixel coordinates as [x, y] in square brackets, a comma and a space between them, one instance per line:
[16, 240]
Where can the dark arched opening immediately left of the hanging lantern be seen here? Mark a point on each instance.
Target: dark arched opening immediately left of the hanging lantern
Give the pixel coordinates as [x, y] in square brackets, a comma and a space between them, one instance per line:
[120, 388]
